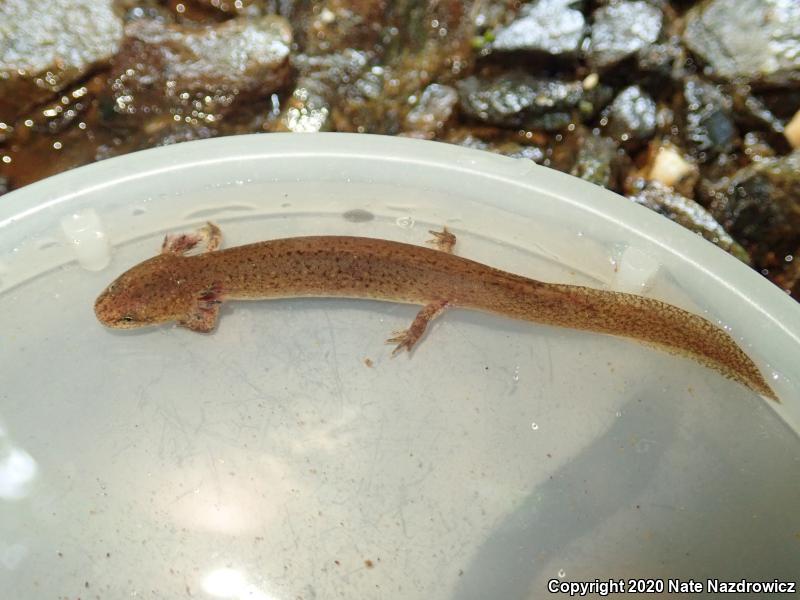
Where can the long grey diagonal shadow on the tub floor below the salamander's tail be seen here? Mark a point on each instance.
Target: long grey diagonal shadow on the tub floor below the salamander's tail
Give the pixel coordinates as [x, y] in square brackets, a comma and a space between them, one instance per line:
[561, 511]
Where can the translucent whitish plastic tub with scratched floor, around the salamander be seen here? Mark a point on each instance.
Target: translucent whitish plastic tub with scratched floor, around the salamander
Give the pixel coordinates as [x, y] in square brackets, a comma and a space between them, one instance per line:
[287, 456]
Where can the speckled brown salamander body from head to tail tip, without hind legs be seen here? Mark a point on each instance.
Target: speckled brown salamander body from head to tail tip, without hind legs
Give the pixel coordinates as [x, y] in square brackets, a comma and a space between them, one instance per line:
[188, 289]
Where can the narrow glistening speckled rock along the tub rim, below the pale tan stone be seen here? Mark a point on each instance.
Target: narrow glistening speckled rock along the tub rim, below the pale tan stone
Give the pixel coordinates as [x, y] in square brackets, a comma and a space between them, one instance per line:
[689, 214]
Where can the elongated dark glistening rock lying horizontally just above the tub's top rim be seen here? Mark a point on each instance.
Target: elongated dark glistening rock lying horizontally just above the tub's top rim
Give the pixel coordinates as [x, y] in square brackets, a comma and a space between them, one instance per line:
[519, 100]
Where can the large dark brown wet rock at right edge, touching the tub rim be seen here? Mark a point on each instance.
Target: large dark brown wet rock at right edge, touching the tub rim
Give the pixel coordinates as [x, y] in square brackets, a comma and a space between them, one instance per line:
[760, 206]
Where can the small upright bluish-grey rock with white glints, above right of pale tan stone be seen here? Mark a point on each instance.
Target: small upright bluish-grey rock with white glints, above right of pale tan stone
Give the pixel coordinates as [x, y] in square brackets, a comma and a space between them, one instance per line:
[709, 126]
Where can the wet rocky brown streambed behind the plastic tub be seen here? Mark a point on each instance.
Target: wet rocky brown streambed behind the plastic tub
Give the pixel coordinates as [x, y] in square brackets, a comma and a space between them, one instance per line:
[689, 108]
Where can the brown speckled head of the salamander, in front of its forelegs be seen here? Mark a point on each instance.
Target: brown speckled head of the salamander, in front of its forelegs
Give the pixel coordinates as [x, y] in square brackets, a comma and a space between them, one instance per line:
[150, 293]
